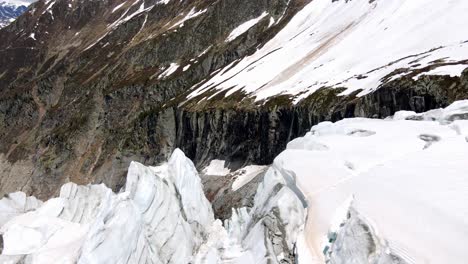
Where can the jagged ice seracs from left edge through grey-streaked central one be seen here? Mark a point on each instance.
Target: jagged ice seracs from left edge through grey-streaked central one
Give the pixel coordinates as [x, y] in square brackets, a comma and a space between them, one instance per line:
[161, 216]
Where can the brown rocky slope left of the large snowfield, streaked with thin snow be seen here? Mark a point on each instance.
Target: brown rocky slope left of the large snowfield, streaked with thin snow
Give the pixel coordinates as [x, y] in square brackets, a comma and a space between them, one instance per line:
[71, 95]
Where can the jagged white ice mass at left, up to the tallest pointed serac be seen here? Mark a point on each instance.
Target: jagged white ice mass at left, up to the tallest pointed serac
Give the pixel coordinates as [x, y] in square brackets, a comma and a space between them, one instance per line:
[91, 224]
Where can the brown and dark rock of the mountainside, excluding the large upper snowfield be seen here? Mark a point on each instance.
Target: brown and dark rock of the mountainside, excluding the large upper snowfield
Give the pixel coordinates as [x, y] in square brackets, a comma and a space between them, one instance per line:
[88, 86]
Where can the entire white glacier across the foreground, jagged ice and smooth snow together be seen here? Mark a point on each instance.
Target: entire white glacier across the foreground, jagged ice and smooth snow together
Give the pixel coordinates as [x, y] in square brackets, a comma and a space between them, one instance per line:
[355, 191]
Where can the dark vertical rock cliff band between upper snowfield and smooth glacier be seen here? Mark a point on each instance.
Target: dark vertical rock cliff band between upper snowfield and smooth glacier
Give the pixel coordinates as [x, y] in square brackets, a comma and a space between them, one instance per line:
[221, 130]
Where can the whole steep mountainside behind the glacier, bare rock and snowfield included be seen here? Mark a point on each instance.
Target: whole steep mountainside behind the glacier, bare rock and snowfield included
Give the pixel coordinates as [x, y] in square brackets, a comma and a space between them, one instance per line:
[89, 85]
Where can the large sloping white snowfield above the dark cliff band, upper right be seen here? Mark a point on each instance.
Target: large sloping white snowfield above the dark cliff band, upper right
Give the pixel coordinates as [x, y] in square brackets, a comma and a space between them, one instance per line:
[351, 44]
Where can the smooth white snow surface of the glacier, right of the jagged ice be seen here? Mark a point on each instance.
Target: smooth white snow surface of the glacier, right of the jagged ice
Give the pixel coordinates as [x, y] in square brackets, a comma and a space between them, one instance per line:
[412, 190]
